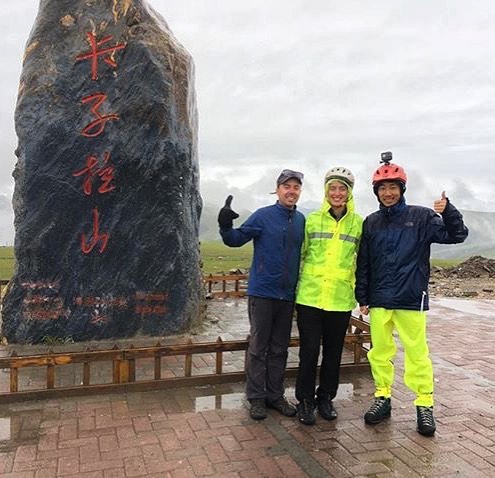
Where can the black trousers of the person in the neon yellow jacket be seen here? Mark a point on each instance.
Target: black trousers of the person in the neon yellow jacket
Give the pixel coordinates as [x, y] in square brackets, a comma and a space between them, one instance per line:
[328, 328]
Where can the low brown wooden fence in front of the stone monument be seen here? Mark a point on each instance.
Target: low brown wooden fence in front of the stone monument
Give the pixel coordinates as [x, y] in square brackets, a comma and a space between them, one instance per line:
[124, 375]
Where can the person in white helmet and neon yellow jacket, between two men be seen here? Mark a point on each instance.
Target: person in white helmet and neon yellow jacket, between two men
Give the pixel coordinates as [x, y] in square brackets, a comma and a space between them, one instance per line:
[325, 294]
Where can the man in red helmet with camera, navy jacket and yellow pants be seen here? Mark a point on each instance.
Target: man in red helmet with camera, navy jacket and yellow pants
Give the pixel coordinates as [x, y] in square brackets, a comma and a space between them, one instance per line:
[393, 270]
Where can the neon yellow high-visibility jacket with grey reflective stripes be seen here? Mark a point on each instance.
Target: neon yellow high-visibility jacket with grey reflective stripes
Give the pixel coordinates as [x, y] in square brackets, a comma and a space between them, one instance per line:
[329, 258]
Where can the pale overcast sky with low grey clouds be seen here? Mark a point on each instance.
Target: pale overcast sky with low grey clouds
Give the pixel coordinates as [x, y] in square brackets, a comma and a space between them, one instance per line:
[314, 84]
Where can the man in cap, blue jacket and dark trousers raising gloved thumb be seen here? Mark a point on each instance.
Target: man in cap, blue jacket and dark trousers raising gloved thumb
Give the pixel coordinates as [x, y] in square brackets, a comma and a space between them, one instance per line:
[277, 232]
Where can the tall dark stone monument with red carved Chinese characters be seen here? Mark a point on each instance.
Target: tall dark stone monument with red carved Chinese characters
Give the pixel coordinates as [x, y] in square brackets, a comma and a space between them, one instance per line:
[106, 194]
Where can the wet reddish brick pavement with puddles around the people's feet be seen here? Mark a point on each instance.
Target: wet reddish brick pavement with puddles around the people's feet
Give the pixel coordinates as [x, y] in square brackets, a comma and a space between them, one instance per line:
[206, 431]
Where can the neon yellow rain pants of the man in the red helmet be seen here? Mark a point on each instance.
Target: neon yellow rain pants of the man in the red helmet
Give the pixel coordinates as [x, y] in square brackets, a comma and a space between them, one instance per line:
[418, 370]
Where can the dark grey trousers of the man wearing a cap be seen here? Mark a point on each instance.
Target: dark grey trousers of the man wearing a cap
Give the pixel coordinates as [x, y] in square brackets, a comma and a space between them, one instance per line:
[270, 326]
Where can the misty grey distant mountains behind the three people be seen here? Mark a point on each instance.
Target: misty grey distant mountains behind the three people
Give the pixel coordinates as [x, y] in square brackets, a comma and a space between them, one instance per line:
[481, 240]
